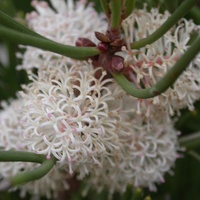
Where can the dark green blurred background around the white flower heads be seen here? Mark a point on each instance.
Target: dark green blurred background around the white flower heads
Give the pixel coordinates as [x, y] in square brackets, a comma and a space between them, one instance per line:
[183, 185]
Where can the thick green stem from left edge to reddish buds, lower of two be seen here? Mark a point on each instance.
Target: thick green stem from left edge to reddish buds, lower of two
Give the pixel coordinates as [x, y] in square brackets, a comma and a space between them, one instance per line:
[70, 51]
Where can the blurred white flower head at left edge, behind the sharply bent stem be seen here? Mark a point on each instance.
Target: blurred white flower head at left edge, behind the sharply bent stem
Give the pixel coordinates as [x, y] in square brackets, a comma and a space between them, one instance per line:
[11, 138]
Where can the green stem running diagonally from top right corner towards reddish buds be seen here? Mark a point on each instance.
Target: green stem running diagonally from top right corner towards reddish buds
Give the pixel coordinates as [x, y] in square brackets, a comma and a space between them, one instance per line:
[171, 21]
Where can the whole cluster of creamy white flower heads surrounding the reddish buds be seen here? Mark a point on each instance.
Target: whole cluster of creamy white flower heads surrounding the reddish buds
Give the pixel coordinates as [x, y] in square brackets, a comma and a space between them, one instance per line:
[83, 118]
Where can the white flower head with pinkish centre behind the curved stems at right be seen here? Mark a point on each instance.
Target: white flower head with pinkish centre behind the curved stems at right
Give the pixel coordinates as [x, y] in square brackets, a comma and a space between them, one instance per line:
[150, 63]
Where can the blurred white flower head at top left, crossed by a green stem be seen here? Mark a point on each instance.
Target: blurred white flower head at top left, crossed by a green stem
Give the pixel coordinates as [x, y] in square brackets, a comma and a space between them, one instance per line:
[64, 23]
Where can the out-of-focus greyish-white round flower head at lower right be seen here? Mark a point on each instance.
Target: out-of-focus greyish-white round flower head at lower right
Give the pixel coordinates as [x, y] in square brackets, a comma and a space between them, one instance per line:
[148, 153]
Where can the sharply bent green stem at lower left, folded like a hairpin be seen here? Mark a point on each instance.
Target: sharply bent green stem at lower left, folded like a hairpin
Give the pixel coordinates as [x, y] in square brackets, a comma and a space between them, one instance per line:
[24, 177]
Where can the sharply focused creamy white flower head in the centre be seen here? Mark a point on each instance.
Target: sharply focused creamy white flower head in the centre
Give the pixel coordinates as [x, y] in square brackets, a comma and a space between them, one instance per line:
[67, 115]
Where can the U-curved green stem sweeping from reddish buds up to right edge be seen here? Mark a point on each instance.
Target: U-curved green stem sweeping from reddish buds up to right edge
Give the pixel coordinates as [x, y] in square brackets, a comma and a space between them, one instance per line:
[167, 81]
